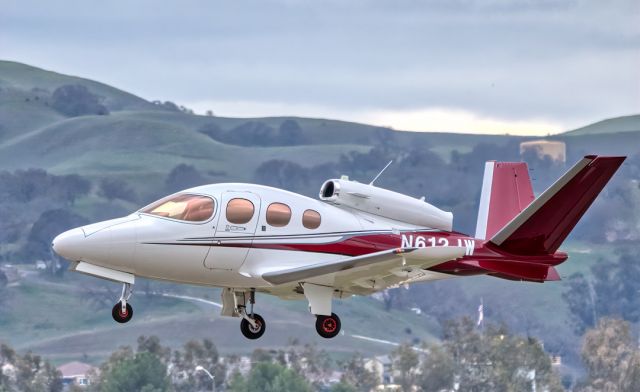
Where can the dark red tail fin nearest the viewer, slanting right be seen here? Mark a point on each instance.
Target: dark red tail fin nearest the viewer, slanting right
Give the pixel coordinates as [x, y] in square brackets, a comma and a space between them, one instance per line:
[545, 223]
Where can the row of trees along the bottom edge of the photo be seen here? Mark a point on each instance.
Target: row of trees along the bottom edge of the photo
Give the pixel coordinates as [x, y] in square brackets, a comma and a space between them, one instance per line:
[467, 358]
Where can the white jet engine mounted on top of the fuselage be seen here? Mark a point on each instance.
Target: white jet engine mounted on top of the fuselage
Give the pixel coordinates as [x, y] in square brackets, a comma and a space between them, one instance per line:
[385, 203]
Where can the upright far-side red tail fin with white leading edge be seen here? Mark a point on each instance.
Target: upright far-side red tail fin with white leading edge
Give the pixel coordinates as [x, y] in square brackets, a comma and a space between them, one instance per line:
[506, 191]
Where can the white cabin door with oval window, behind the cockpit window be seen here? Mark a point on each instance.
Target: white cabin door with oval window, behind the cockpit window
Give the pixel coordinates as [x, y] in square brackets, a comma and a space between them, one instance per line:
[237, 222]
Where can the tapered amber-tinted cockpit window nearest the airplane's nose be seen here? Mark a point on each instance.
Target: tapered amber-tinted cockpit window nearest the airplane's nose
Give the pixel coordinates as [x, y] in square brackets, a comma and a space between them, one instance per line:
[186, 207]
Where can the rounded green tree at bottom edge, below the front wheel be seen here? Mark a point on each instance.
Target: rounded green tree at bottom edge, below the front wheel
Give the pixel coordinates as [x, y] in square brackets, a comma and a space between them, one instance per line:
[143, 372]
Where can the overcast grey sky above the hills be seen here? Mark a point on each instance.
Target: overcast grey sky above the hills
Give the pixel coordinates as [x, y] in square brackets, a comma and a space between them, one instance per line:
[470, 66]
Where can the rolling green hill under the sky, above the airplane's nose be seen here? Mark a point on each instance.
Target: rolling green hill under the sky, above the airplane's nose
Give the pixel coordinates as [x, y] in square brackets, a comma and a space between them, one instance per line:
[139, 140]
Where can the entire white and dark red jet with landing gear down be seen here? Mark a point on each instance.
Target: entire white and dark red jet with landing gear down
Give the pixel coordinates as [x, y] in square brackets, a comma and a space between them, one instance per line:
[356, 240]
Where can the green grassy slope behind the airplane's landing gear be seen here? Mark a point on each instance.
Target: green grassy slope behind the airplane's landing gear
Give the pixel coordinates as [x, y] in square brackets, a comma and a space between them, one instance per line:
[64, 321]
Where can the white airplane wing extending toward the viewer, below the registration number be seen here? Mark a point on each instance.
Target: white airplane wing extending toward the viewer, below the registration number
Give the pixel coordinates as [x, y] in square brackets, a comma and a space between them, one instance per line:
[369, 273]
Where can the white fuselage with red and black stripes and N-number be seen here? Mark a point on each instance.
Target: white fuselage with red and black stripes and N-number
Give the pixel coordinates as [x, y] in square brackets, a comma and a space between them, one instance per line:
[216, 252]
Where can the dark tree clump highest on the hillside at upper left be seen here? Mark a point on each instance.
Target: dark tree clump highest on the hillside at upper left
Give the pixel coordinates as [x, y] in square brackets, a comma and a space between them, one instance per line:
[76, 100]
